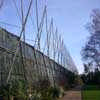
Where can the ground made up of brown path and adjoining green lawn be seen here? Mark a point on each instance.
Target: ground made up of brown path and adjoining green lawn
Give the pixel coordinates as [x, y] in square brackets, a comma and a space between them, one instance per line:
[90, 92]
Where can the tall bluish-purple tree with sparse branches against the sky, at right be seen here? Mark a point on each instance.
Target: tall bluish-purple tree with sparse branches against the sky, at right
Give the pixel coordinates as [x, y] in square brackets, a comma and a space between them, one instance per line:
[91, 51]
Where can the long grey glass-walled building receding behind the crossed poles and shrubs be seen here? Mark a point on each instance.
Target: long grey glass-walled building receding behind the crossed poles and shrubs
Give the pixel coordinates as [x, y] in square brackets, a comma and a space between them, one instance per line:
[29, 64]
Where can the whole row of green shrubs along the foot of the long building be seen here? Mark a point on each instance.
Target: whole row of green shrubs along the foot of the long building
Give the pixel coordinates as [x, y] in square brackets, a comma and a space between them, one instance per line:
[19, 90]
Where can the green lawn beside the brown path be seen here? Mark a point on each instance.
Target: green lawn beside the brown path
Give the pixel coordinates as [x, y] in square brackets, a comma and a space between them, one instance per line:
[91, 92]
